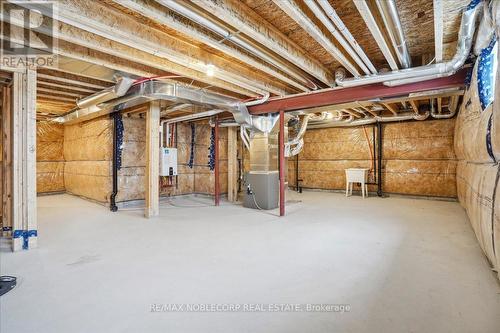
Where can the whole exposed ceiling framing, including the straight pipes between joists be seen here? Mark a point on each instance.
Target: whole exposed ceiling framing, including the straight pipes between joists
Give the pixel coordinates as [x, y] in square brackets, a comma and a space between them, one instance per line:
[256, 46]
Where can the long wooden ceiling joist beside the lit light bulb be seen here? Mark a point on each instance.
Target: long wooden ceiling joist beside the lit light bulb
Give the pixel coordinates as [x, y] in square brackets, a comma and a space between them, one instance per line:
[113, 25]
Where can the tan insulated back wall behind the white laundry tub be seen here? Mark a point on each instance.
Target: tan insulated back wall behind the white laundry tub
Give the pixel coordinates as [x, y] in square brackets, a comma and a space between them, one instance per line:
[418, 158]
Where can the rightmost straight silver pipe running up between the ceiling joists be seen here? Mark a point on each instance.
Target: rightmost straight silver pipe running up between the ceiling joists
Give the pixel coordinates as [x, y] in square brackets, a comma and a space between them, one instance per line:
[390, 16]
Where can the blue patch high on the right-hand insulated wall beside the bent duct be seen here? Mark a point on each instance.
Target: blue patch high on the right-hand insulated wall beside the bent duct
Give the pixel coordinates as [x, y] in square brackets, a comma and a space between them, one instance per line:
[486, 73]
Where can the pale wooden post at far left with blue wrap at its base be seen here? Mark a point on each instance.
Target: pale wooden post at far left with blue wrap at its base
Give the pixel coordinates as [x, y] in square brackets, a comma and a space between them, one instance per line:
[24, 225]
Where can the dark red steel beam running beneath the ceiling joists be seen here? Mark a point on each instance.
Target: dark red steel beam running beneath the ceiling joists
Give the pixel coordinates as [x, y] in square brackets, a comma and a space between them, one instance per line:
[375, 92]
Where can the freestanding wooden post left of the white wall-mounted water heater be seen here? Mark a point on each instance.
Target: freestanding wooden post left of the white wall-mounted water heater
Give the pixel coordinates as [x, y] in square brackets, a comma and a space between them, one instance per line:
[152, 160]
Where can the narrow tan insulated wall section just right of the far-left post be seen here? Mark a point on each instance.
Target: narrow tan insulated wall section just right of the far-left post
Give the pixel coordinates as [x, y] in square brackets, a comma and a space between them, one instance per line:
[50, 157]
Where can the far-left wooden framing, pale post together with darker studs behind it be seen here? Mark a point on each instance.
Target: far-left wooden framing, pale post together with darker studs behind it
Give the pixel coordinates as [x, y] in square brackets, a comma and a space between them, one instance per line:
[19, 160]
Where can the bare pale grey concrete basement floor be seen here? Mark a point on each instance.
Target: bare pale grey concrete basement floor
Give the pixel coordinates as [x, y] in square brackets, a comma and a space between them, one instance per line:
[402, 265]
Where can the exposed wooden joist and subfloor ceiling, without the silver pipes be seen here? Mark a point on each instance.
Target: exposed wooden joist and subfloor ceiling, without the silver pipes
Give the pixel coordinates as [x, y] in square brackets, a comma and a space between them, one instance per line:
[144, 38]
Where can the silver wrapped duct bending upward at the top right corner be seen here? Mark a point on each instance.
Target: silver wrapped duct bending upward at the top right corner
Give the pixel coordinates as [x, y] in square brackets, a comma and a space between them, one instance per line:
[465, 38]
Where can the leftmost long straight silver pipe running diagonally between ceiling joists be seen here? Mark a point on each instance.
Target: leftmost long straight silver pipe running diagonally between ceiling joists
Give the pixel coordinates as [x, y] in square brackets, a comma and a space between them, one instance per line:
[178, 7]
